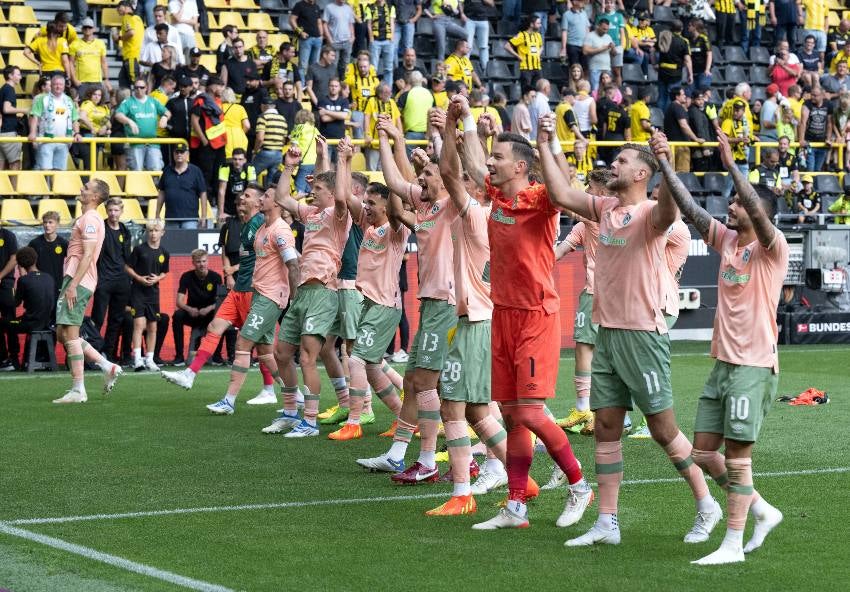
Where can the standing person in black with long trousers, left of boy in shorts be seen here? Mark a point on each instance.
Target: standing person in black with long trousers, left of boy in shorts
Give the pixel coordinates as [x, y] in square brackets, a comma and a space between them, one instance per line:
[113, 284]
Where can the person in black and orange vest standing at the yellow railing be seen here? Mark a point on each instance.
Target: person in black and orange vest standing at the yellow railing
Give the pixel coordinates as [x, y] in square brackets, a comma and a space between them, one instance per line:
[208, 137]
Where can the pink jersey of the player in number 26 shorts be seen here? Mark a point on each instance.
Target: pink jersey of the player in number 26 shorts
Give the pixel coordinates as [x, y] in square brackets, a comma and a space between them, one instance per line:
[378, 266]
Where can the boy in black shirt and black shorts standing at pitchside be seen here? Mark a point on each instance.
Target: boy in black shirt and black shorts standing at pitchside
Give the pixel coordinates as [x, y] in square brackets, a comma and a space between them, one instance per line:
[147, 267]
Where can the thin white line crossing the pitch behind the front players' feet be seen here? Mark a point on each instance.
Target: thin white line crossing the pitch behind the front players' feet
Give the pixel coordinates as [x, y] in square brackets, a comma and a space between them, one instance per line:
[357, 500]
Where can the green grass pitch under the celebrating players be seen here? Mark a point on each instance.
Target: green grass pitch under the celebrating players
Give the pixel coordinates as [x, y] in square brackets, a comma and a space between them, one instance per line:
[324, 524]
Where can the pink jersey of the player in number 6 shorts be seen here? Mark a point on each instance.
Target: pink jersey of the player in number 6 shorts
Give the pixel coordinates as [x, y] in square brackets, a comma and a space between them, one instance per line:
[324, 240]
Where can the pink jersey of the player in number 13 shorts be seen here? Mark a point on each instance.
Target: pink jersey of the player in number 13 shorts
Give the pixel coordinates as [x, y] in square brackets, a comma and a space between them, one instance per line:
[433, 239]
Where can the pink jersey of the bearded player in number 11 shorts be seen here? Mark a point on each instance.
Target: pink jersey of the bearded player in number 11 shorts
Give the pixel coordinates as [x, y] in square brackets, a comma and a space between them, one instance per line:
[630, 266]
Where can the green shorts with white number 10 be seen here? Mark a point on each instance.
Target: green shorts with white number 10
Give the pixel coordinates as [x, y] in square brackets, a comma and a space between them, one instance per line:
[735, 401]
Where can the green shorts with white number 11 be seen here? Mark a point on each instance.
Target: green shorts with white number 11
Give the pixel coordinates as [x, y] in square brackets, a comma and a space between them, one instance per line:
[631, 365]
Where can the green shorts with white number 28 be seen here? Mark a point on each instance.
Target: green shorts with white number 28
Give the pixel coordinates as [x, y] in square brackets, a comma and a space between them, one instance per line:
[466, 373]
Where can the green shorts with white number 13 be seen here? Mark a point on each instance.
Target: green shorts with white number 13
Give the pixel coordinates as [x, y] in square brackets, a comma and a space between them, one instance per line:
[431, 344]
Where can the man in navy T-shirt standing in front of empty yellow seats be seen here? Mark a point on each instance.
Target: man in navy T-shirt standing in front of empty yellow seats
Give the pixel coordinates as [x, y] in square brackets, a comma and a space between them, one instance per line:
[182, 191]
